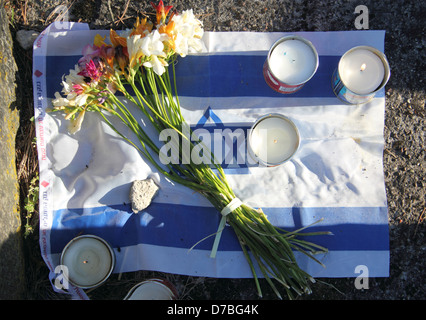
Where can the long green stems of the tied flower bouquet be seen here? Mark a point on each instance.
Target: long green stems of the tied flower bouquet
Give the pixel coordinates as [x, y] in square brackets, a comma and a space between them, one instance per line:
[271, 248]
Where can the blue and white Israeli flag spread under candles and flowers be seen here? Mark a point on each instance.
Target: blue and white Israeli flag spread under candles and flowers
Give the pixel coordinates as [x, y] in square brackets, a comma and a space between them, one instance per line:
[336, 174]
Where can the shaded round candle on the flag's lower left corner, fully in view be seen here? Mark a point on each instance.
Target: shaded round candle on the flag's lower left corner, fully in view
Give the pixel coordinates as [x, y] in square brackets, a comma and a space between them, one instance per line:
[88, 260]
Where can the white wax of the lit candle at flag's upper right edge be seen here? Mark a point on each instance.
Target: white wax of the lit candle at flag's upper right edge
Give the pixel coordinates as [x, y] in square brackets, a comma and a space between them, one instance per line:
[361, 71]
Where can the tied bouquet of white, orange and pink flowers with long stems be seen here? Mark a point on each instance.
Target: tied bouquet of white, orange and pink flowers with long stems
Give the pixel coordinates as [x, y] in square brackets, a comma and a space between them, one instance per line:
[139, 64]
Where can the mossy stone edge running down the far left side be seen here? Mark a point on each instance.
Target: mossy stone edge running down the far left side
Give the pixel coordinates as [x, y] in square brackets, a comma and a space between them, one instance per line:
[11, 251]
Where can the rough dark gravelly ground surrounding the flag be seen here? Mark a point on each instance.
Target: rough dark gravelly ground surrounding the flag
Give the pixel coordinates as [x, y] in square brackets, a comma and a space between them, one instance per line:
[404, 155]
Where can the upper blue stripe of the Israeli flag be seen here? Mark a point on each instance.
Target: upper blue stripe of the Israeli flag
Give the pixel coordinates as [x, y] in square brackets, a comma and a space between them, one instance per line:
[216, 76]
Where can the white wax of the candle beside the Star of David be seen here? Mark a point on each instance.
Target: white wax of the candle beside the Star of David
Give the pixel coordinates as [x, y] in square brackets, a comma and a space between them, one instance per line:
[274, 140]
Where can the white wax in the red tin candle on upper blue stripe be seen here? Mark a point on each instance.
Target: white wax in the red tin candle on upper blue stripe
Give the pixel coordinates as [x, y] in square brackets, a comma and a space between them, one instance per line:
[292, 62]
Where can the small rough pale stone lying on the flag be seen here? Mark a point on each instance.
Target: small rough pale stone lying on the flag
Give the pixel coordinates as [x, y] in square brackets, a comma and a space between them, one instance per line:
[142, 193]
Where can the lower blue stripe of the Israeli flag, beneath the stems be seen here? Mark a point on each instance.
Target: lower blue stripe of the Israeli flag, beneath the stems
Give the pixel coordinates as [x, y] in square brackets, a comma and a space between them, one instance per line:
[182, 226]
